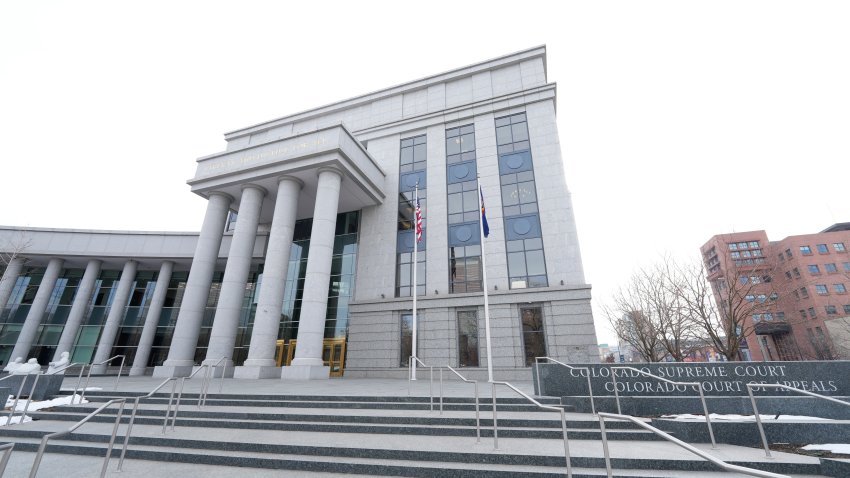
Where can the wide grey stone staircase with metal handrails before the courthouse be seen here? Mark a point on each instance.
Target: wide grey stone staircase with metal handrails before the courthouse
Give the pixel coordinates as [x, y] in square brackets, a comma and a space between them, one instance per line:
[369, 435]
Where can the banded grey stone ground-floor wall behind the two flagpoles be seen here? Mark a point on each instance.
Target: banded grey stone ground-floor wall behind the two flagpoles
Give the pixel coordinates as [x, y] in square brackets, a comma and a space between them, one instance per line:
[374, 336]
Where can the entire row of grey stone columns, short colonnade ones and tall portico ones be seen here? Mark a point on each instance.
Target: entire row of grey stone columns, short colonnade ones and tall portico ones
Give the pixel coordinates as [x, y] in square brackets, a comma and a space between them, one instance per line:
[307, 363]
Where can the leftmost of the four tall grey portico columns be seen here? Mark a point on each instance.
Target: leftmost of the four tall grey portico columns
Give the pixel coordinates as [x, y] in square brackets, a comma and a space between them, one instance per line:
[181, 355]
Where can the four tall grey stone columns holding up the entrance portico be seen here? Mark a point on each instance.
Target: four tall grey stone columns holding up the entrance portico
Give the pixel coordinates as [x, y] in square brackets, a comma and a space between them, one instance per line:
[307, 363]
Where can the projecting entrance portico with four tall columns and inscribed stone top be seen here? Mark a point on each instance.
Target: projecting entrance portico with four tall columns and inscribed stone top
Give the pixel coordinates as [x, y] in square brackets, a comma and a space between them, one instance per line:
[315, 174]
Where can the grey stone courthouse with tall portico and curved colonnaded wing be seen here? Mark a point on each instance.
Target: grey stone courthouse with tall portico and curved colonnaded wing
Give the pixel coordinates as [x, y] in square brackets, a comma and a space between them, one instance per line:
[304, 264]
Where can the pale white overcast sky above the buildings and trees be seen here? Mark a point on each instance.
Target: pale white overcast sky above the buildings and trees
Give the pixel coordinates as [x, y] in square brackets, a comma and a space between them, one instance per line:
[678, 120]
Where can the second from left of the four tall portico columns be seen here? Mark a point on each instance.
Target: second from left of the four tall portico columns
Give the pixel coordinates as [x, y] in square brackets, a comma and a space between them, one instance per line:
[229, 308]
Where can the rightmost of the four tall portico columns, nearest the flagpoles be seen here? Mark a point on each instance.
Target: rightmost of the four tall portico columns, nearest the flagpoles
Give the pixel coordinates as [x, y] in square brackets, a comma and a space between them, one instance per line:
[308, 363]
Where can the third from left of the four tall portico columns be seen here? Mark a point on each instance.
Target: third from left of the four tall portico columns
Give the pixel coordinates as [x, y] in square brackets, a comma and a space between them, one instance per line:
[261, 355]
